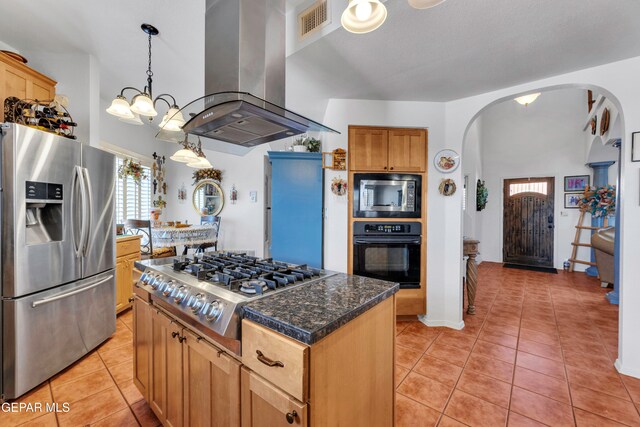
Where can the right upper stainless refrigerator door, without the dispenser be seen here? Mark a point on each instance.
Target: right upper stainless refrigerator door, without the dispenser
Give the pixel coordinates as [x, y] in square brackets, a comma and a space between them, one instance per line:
[99, 175]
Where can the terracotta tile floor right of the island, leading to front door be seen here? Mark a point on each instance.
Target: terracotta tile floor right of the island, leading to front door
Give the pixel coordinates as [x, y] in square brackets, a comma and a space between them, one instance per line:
[539, 351]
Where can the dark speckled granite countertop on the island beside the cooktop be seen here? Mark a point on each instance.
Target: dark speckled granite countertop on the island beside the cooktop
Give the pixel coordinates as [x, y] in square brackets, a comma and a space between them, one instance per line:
[310, 312]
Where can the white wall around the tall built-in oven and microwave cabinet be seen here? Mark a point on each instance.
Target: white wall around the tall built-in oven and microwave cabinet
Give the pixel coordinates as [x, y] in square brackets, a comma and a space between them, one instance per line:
[344, 112]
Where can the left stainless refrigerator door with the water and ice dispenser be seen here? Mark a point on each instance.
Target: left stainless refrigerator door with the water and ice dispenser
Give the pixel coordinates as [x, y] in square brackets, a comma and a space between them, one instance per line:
[39, 227]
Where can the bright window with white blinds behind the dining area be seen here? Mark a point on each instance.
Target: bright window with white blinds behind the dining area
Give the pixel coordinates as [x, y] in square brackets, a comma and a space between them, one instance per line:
[133, 200]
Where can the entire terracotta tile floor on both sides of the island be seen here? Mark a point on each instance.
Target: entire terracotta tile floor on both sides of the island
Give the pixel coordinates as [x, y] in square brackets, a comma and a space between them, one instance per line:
[539, 351]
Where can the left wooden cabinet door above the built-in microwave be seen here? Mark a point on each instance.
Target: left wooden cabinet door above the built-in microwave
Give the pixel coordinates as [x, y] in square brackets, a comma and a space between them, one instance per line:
[368, 149]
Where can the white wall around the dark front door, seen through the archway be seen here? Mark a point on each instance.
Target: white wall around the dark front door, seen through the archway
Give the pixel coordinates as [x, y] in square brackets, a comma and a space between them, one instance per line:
[544, 139]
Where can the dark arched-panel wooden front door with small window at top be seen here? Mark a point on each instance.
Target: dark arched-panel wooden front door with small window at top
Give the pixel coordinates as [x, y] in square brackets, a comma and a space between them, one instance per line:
[528, 221]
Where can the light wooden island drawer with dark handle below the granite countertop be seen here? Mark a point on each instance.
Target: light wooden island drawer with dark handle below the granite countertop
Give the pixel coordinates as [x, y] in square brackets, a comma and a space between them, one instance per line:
[280, 360]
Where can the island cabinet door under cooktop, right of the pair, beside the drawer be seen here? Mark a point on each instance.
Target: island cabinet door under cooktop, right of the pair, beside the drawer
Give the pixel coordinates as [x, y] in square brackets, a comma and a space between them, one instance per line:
[211, 385]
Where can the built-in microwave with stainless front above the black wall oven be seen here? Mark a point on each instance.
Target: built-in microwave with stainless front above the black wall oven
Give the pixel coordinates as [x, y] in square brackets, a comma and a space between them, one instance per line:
[386, 195]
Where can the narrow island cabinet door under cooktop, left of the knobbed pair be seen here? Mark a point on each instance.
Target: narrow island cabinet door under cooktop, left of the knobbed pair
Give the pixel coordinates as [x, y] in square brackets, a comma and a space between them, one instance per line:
[165, 396]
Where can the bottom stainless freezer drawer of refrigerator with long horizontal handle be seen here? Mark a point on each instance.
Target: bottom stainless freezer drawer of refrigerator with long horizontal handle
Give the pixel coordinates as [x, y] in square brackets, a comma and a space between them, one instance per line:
[46, 332]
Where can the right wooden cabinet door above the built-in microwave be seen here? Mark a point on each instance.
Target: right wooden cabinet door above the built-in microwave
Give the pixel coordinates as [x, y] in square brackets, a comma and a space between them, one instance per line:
[407, 150]
